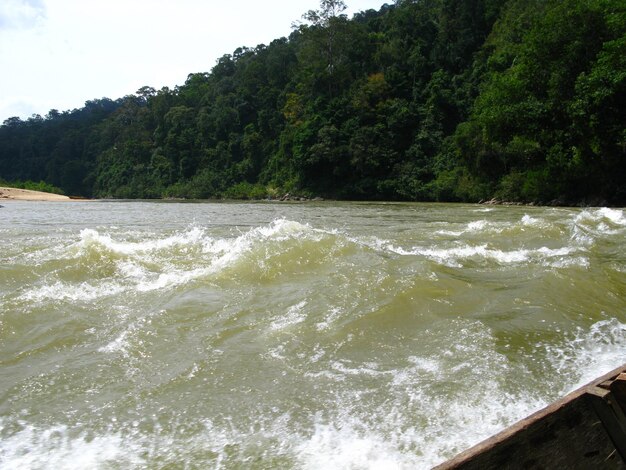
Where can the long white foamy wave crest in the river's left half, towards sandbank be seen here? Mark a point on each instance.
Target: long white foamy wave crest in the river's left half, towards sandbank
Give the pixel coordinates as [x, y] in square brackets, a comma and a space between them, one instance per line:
[150, 265]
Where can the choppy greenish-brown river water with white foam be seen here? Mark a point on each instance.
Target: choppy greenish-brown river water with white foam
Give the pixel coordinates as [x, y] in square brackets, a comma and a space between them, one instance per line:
[283, 335]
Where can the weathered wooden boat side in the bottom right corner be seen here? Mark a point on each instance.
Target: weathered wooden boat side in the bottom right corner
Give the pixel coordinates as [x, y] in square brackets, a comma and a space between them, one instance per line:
[584, 430]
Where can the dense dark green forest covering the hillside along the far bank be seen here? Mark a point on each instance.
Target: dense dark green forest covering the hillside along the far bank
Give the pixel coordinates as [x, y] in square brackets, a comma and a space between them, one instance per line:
[425, 100]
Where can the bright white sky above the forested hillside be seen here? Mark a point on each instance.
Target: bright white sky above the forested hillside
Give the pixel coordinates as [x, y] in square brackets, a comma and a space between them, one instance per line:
[57, 54]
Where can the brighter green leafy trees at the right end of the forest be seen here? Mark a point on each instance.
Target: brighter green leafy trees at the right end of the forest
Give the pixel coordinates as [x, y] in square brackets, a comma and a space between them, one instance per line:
[549, 120]
